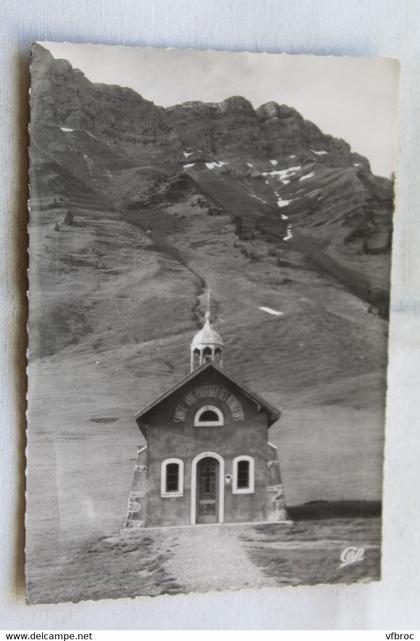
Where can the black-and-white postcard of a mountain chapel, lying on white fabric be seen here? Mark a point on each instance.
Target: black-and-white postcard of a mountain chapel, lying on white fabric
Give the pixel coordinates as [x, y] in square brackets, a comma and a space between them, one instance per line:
[210, 237]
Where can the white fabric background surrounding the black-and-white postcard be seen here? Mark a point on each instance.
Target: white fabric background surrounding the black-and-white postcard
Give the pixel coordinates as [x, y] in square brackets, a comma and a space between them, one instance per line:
[340, 27]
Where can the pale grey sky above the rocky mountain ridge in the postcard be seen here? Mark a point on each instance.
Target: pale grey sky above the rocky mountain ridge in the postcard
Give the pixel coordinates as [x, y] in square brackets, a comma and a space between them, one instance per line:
[351, 98]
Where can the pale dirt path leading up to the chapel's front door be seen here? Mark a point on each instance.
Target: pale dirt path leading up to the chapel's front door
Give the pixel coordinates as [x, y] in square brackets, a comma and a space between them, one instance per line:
[212, 558]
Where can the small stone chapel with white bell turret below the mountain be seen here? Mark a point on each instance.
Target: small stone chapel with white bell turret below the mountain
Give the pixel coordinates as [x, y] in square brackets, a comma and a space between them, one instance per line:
[207, 457]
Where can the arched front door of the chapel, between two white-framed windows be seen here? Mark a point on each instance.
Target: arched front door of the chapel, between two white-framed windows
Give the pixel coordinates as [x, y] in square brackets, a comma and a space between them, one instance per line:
[208, 490]
